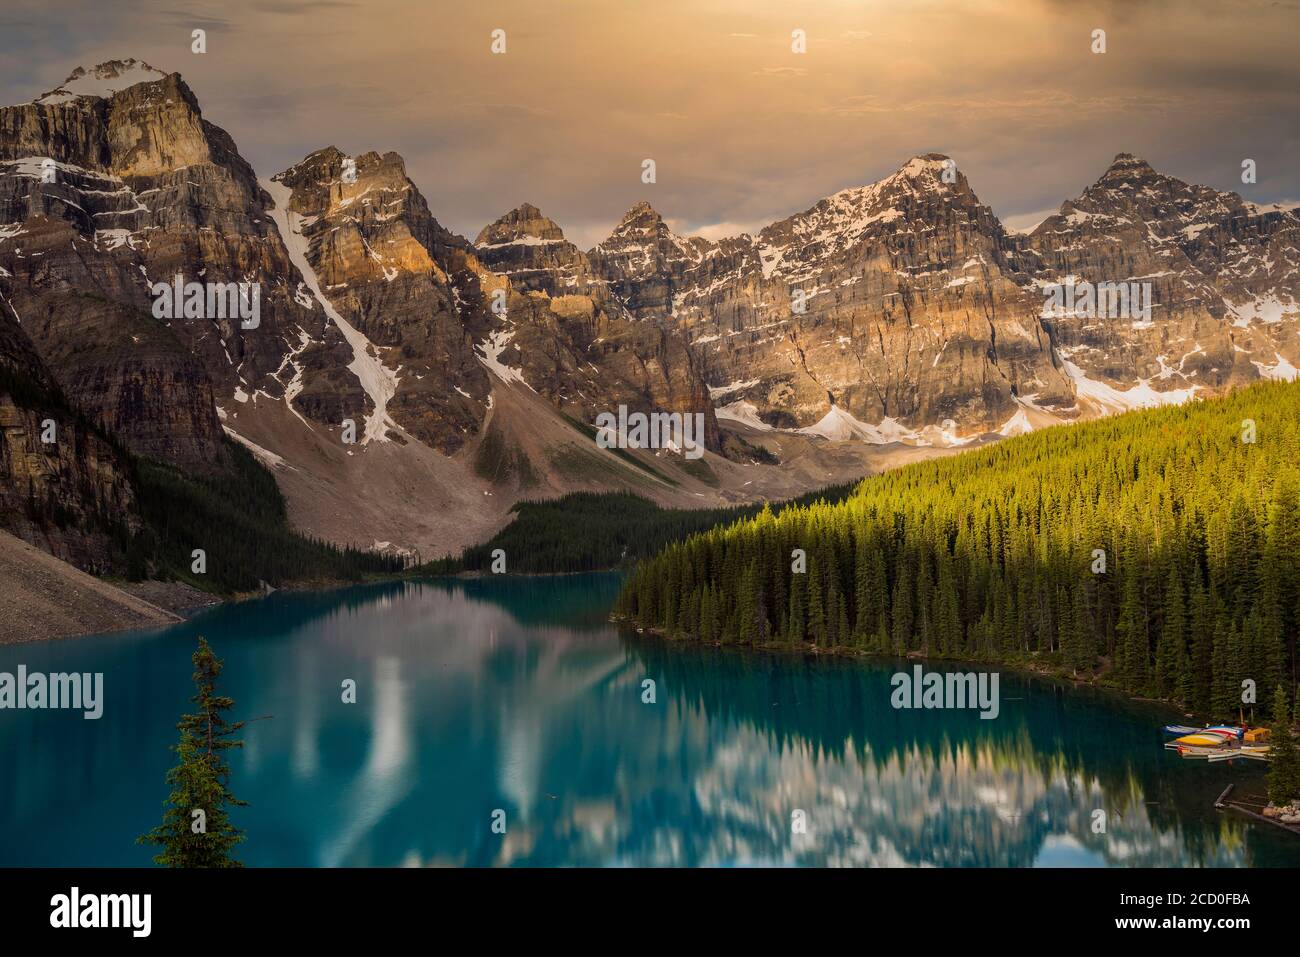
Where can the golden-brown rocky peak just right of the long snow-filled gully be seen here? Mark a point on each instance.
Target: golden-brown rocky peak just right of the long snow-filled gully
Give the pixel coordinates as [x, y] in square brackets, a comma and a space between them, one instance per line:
[405, 283]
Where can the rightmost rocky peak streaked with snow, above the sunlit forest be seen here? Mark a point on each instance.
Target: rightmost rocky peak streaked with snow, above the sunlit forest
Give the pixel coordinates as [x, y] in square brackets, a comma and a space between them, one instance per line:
[1223, 276]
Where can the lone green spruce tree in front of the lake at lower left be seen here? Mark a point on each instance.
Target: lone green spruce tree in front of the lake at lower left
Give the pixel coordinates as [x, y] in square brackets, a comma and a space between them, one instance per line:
[197, 830]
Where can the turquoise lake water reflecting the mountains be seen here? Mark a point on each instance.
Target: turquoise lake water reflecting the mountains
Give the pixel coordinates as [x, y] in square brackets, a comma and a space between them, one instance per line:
[518, 695]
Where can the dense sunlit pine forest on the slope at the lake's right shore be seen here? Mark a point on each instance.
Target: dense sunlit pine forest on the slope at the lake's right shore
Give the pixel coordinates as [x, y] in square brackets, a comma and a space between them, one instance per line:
[1159, 551]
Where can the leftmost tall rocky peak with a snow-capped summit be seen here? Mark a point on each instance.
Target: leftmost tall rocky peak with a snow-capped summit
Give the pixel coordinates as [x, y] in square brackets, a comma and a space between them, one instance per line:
[106, 187]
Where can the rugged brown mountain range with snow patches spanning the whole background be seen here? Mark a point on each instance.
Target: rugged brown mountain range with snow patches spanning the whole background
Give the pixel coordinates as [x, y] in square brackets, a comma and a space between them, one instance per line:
[406, 386]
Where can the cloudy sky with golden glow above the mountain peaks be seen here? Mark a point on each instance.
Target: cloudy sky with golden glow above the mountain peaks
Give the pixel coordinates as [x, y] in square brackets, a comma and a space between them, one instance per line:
[743, 129]
